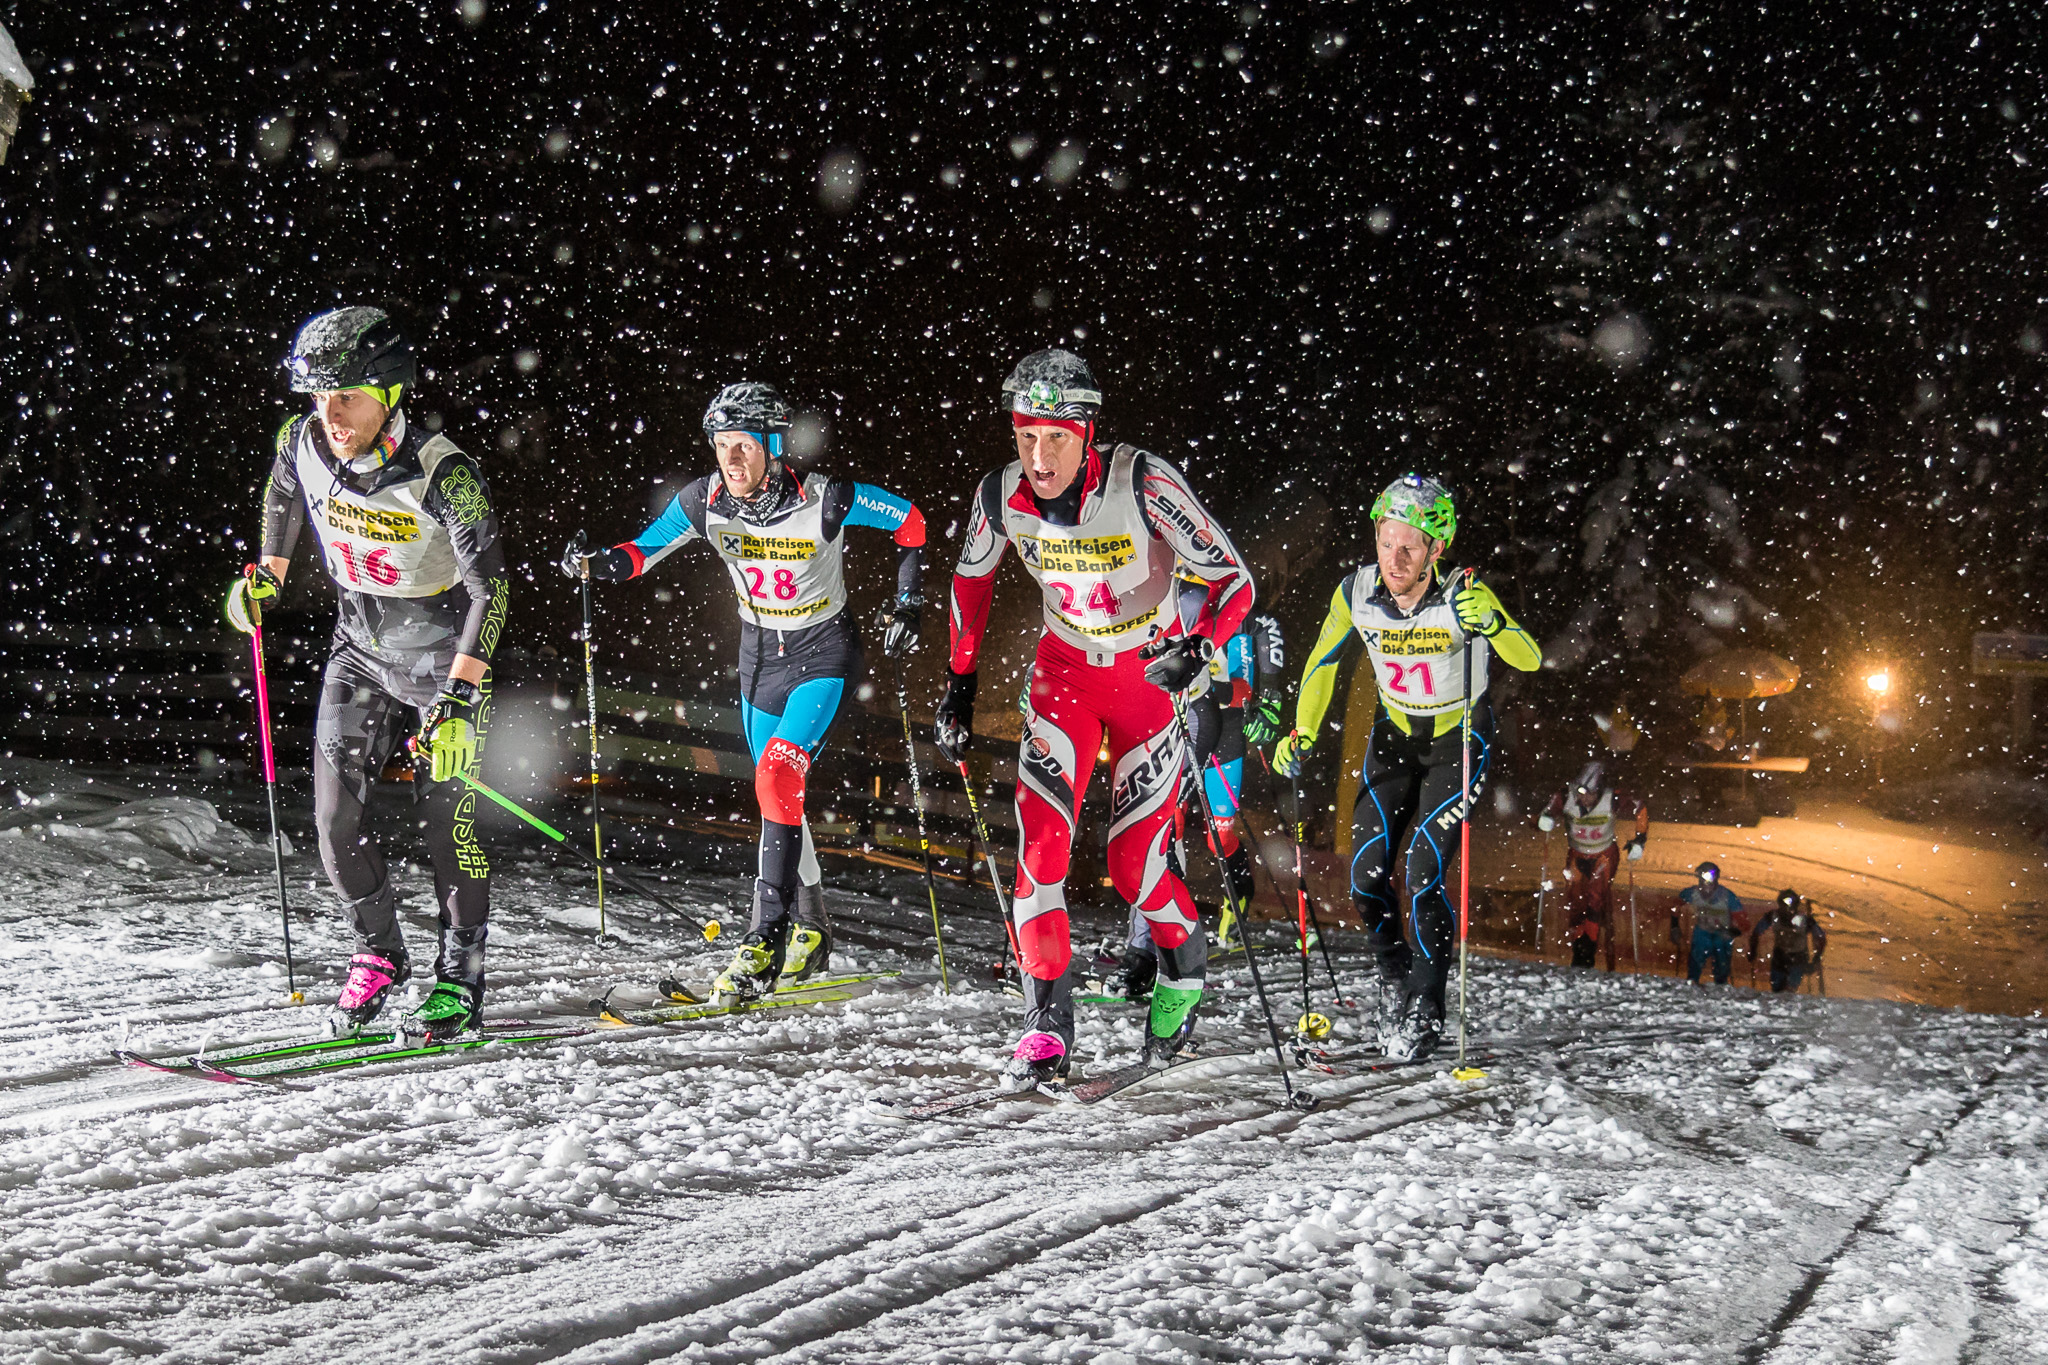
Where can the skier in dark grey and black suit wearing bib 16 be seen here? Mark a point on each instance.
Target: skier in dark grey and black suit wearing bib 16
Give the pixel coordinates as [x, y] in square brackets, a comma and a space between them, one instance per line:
[411, 539]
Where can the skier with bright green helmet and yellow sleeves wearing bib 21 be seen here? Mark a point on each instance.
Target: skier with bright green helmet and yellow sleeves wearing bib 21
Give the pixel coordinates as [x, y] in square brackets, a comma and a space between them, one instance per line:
[1416, 621]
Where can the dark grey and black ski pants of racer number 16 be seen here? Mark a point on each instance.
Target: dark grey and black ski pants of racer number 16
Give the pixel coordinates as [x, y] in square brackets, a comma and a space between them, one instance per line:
[370, 707]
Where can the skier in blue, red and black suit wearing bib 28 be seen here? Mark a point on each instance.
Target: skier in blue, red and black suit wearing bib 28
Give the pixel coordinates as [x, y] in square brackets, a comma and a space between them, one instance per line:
[781, 537]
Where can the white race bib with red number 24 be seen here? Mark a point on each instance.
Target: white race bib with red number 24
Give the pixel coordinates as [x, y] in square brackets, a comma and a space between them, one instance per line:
[1107, 582]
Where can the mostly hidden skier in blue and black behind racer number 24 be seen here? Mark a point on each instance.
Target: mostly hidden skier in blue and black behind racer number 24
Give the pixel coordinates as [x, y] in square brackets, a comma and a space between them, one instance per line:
[1240, 711]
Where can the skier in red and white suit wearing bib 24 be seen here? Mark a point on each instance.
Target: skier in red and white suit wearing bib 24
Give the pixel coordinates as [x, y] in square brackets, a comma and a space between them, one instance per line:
[1101, 535]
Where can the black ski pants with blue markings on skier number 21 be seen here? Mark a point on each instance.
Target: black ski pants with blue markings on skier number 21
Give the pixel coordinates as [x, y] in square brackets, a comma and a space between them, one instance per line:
[1410, 813]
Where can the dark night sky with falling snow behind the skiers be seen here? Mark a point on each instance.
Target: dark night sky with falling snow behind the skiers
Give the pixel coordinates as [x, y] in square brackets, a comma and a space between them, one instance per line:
[1725, 320]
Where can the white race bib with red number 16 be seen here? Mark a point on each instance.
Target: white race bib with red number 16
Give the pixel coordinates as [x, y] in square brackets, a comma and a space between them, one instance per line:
[380, 543]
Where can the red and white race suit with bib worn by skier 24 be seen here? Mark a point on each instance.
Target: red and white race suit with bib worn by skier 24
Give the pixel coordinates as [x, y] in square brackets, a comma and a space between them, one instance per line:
[1109, 590]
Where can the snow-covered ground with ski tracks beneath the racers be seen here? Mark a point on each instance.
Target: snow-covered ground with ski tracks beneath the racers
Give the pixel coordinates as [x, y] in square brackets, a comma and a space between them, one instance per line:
[1648, 1174]
